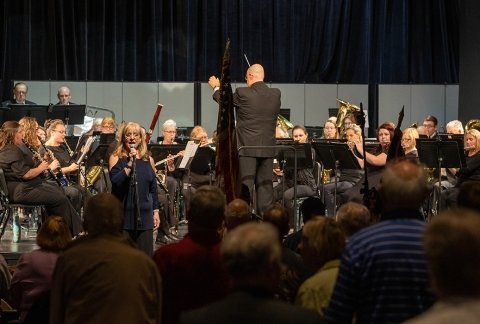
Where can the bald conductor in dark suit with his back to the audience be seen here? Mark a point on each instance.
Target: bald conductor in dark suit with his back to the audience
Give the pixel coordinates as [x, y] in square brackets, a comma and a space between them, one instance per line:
[257, 108]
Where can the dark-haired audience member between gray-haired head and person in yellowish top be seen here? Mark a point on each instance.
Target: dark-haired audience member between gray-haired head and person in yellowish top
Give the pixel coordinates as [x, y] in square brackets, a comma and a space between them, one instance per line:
[294, 272]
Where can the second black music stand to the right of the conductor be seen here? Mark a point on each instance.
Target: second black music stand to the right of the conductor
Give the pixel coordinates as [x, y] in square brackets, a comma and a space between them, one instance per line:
[335, 155]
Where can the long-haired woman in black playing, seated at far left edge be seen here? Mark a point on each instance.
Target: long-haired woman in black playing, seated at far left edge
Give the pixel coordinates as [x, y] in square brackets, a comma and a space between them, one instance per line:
[24, 167]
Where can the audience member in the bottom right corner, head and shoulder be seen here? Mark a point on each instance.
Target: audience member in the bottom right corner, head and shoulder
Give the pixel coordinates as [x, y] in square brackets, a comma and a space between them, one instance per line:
[452, 248]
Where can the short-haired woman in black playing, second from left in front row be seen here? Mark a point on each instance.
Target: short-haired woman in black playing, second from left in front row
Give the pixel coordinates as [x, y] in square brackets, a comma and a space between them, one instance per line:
[57, 146]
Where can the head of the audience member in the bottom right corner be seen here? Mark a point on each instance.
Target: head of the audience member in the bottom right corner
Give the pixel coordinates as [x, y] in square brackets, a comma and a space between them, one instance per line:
[452, 249]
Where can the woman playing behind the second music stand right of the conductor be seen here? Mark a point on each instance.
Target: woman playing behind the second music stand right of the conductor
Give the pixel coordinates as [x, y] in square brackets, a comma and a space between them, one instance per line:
[348, 177]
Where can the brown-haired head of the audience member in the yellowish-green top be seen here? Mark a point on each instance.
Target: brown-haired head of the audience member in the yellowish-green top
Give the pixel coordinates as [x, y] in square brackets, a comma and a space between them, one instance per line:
[322, 240]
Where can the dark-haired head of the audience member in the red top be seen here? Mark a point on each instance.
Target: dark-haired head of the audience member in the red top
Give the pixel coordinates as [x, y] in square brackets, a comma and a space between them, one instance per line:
[206, 209]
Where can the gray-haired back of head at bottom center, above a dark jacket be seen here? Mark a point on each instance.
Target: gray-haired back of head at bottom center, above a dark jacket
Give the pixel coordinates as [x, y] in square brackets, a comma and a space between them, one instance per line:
[250, 248]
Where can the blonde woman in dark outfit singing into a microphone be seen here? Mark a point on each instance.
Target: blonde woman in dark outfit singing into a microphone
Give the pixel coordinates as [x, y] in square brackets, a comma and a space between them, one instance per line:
[134, 183]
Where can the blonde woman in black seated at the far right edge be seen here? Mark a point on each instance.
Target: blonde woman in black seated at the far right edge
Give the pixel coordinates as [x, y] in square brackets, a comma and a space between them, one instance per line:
[469, 173]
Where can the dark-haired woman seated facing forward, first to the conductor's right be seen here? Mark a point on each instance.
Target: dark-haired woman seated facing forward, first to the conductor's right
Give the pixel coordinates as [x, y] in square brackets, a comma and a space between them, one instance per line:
[306, 185]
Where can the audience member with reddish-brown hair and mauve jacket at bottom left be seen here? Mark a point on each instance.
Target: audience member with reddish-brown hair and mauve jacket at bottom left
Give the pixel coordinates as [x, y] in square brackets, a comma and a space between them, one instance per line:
[34, 270]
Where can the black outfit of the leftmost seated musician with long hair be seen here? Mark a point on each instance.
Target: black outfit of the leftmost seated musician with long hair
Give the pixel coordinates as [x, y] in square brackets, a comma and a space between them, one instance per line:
[18, 160]
